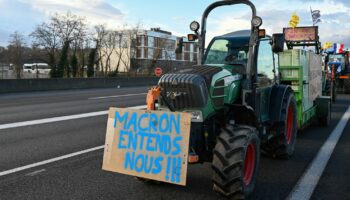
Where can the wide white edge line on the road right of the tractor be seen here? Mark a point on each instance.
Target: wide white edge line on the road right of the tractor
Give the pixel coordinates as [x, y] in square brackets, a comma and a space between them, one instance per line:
[308, 182]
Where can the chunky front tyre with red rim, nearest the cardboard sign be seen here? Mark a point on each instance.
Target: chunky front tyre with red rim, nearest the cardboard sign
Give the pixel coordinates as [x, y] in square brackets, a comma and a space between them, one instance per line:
[235, 162]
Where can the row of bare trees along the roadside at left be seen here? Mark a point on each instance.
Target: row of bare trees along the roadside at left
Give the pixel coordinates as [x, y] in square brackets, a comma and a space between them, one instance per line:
[72, 48]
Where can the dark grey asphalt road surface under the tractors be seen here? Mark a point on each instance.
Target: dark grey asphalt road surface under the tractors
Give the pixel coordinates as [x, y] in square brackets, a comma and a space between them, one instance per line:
[81, 177]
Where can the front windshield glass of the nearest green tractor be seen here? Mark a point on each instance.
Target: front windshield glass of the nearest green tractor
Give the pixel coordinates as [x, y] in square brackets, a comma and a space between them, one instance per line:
[227, 51]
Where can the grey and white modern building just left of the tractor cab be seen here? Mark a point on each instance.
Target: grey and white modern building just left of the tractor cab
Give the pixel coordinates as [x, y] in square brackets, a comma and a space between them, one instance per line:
[156, 48]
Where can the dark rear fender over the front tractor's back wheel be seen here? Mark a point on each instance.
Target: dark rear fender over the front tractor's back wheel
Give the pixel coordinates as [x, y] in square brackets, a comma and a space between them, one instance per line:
[276, 97]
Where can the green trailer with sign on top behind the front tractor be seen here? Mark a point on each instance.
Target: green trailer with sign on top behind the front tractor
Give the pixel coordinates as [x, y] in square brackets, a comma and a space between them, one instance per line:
[303, 70]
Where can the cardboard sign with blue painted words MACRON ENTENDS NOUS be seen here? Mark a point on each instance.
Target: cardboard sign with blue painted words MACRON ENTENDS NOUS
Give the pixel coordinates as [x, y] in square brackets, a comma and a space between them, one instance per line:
[148, 144]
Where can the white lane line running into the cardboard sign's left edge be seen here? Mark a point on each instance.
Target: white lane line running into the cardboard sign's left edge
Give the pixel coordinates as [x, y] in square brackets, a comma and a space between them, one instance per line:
[18, 169]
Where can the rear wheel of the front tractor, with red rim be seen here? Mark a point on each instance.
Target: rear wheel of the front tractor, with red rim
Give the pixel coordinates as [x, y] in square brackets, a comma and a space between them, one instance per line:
[282, 144]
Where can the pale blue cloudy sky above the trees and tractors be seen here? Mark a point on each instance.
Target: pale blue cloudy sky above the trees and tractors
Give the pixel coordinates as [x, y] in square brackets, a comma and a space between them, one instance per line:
[175, 16]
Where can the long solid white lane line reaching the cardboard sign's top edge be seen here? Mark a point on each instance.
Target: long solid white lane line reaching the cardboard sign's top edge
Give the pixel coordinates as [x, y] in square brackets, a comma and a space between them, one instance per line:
[58, 119]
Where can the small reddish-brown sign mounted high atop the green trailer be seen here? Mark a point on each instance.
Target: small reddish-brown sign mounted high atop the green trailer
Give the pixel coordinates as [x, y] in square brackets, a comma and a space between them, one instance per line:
[300, 34]
